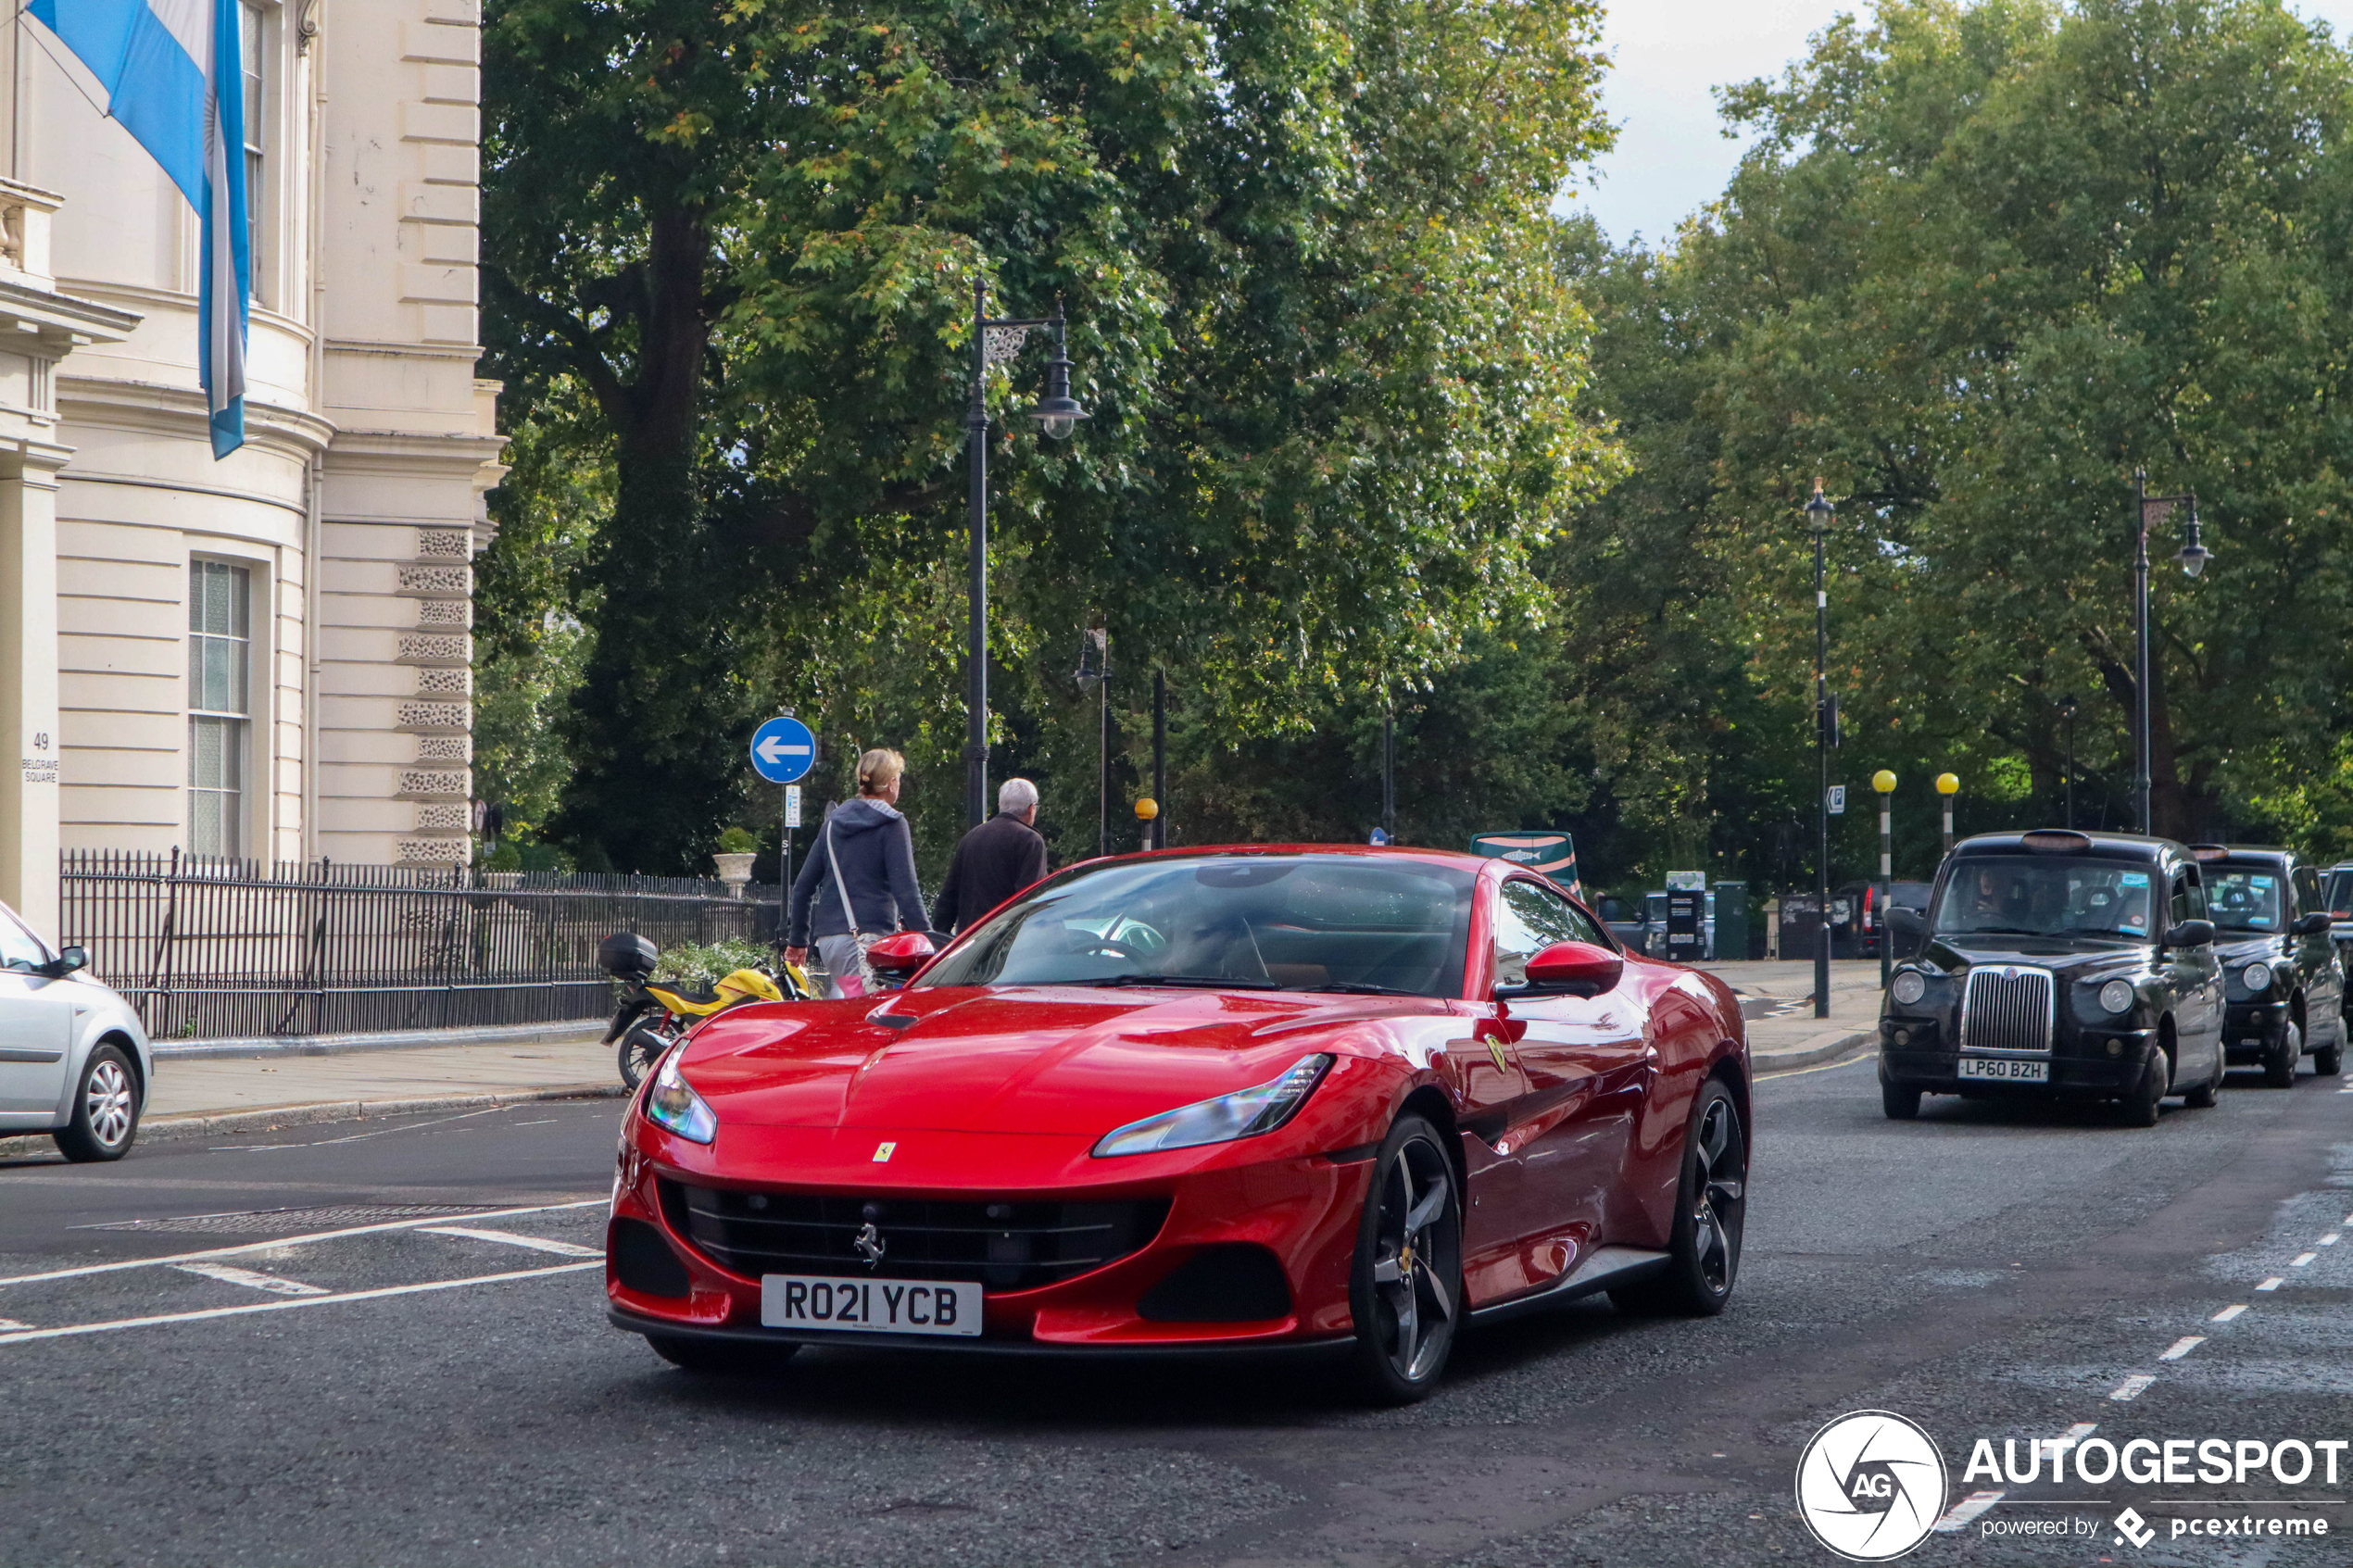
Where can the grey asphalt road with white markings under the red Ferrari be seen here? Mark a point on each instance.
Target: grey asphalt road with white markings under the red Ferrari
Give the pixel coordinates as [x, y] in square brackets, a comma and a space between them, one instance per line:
[1987, 1273]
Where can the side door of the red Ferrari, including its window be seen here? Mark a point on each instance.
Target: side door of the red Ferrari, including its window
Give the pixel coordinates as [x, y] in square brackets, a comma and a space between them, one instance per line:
[1587, 1064]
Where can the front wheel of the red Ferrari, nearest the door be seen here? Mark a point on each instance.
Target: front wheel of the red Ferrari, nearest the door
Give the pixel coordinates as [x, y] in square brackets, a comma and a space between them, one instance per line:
[1406, 1289]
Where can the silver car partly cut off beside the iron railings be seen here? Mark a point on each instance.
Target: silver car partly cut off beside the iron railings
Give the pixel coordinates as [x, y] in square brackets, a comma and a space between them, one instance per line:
[74, 1059]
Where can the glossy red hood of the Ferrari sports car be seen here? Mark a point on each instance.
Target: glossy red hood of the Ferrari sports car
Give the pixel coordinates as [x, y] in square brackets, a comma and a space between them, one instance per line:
[1053, 1059]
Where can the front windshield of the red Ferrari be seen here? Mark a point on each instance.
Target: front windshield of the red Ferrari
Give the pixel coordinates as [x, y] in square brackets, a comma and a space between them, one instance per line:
[1272, 923]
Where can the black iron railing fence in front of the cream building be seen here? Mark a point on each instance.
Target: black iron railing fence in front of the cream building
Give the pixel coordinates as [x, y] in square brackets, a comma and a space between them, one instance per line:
[239, 949]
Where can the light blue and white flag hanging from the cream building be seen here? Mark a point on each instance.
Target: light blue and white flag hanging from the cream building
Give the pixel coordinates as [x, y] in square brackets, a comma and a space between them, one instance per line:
[173, 76]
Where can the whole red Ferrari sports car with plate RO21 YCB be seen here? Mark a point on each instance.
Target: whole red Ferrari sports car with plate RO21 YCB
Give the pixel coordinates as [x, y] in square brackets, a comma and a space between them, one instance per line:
[1229, 1099]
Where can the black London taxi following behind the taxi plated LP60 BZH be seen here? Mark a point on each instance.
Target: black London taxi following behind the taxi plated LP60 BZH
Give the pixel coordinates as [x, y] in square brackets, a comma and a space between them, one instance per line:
[2284, 979]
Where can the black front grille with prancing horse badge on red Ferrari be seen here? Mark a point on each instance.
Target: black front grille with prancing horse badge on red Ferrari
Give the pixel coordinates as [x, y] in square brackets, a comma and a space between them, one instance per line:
[1006, 1247]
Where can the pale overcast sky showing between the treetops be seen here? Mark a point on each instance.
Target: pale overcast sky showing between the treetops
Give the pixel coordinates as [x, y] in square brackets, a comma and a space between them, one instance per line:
[1672, 154]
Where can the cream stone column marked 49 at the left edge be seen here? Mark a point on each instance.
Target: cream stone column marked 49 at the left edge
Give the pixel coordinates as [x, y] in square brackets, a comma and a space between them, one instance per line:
[29, 681]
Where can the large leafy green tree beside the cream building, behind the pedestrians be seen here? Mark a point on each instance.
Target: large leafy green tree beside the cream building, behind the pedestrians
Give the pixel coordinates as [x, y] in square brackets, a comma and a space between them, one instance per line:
[1305, 250]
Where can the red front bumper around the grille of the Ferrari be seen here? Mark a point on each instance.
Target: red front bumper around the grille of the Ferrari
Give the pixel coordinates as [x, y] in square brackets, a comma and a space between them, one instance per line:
[1302, 1209]
